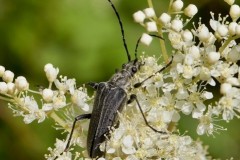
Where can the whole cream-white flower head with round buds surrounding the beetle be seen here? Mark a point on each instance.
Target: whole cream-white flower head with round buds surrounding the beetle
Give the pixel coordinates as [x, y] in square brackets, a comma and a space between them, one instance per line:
[201, 57]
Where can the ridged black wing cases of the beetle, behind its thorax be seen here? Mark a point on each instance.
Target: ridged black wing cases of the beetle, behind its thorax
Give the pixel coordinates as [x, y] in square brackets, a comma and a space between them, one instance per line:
[109, 99]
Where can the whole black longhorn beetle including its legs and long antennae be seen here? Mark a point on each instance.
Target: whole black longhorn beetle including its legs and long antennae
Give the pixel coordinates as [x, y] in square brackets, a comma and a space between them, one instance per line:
[109, 99]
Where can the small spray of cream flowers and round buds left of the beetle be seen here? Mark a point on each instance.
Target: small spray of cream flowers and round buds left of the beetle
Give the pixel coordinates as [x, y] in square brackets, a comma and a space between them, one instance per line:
[23, 101]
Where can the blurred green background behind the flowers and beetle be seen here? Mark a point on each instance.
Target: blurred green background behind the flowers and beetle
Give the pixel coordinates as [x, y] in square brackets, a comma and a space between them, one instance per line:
[83, 39]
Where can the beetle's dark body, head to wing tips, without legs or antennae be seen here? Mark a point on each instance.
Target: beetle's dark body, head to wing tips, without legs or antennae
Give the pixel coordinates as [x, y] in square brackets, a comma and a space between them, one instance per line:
[109, 99]
